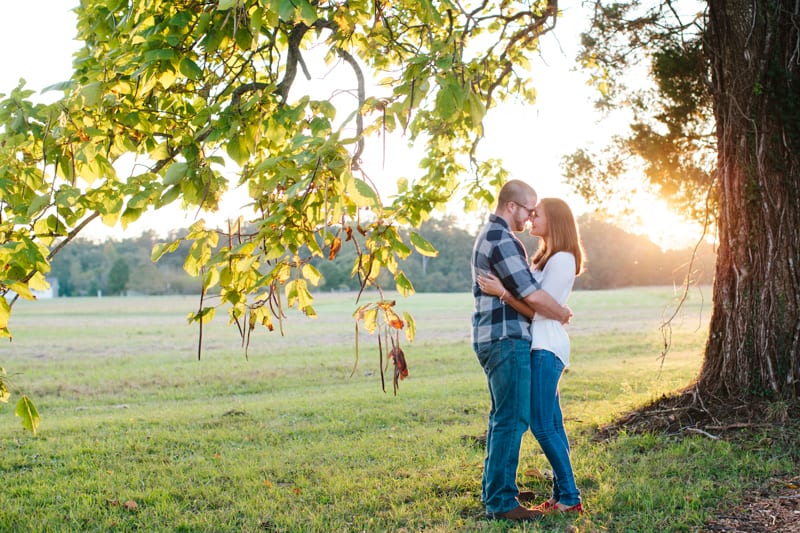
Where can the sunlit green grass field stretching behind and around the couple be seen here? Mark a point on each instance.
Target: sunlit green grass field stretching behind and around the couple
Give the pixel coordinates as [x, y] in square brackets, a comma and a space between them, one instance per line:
[137, 434]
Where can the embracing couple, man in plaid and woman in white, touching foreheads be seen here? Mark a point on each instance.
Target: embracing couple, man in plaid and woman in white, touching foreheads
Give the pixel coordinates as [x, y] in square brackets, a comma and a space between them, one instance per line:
[519, 338]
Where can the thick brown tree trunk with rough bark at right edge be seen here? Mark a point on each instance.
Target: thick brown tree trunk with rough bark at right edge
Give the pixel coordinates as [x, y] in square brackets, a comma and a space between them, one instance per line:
[753, 349]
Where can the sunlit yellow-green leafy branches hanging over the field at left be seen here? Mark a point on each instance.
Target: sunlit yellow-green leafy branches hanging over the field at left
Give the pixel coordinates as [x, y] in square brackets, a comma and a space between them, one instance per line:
[179, 100]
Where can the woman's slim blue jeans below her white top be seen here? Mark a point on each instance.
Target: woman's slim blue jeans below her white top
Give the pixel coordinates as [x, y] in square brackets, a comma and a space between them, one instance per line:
[547, 424]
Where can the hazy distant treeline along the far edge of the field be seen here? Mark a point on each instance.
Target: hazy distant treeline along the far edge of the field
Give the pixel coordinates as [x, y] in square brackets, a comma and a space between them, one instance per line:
[615, 259]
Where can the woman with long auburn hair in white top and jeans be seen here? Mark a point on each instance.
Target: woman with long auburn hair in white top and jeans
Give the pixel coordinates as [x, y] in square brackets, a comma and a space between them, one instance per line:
[556, 264]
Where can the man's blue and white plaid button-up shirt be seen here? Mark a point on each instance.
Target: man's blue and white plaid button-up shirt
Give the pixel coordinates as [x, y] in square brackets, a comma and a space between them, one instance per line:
[498, 250]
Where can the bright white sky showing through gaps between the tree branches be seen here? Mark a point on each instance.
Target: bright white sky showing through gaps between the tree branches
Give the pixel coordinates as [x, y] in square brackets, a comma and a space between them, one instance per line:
[531, 140]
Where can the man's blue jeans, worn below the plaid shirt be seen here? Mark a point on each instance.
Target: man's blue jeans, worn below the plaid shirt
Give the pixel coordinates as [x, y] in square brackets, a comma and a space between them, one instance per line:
[507, 364]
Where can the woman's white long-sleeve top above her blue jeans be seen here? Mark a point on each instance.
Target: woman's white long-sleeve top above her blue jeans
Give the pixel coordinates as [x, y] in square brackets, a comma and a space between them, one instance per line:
[557, 279]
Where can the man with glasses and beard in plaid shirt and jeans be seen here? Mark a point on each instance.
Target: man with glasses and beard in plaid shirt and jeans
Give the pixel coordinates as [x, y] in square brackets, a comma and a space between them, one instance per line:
[502, 341]
